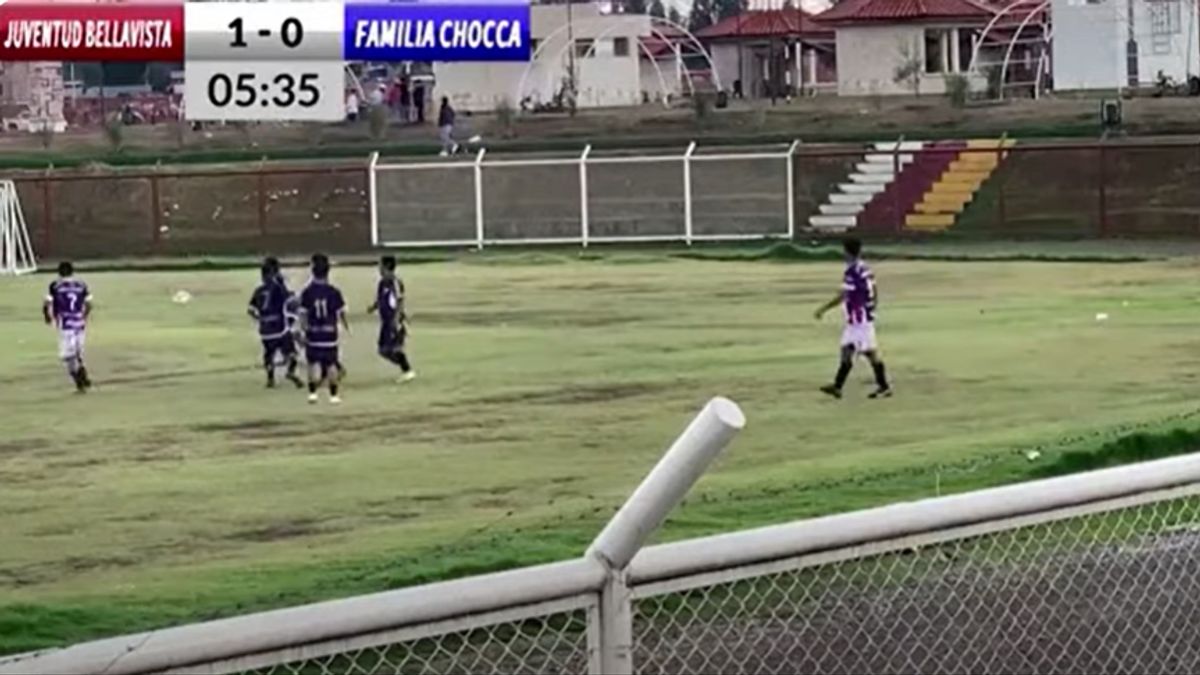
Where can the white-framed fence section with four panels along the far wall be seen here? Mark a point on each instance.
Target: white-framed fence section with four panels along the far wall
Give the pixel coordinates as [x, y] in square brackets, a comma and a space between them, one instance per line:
[685, 198]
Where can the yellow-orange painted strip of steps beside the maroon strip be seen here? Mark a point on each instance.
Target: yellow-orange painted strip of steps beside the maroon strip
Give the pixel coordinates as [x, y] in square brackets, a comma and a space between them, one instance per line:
[957, 187]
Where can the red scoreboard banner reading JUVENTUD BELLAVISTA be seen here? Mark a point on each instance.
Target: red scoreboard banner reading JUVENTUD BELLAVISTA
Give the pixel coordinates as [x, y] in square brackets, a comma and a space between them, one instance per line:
[92, 32]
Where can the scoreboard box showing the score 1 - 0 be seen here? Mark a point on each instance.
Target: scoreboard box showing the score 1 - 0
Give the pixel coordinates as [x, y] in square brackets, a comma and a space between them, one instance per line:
[266, 32]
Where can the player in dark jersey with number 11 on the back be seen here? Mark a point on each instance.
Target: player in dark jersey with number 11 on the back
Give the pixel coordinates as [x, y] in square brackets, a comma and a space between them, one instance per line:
[322, 309]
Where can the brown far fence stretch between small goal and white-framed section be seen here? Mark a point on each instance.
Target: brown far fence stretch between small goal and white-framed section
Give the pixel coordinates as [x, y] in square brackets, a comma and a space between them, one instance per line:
[112, 213]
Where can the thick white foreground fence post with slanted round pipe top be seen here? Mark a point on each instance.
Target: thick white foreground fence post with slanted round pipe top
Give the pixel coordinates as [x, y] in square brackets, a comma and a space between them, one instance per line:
[667, 485]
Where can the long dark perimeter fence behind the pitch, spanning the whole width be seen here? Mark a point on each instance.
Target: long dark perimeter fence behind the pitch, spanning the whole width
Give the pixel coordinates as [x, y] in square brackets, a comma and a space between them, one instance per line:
[1034, 192]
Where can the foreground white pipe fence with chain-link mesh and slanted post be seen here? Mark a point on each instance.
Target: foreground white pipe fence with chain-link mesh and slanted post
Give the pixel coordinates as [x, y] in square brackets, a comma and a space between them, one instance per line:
[1090, 574]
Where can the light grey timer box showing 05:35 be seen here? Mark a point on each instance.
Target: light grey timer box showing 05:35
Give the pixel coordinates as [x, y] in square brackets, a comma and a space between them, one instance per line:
[265, 91]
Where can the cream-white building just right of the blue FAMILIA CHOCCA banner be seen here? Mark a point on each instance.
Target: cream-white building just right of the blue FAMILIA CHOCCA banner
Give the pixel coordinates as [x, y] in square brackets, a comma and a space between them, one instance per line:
[613, 65]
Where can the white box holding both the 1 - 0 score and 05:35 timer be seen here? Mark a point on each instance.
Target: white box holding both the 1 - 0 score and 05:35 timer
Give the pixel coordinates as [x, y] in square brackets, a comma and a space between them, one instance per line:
[265, 62]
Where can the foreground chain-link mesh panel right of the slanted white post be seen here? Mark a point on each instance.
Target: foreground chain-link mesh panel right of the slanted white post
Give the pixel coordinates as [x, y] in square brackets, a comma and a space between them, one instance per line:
[1102, 593]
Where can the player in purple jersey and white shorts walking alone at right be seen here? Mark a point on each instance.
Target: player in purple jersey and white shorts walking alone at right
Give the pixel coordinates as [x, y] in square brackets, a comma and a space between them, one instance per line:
[859, 297]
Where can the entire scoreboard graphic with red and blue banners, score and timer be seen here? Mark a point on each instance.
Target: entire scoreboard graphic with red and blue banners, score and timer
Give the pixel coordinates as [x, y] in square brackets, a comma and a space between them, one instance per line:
[266, 61]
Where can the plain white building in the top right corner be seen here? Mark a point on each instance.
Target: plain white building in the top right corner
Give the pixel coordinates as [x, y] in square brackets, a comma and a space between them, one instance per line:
[1093, 39]
